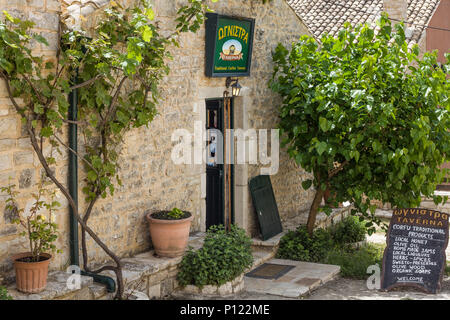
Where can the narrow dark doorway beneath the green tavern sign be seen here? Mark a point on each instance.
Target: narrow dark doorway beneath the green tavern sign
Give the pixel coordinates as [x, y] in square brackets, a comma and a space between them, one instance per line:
[215, 178]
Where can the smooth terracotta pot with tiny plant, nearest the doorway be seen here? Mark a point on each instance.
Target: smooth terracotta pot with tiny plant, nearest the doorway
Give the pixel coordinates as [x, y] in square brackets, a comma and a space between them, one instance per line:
[169, 231]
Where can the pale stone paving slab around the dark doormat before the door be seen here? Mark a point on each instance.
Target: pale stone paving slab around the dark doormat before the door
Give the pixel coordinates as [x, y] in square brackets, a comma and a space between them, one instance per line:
[299, 281]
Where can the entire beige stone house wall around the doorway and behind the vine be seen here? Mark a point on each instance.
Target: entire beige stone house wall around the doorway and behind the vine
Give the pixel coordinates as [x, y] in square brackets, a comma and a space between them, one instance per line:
[151, 180]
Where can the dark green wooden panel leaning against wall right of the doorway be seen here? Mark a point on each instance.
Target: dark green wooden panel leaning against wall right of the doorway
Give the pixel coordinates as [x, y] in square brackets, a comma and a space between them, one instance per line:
[265, 206]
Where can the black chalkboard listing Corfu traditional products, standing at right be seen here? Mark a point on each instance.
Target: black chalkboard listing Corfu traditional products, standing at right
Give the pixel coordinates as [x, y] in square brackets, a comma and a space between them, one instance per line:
[415, 252]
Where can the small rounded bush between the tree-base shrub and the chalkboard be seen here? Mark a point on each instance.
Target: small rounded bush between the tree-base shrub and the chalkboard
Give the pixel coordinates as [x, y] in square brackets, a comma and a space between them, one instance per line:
[349, 230]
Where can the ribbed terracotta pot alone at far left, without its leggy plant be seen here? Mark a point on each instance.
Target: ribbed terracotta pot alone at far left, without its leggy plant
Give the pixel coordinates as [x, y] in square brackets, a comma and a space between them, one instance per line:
[31, 277]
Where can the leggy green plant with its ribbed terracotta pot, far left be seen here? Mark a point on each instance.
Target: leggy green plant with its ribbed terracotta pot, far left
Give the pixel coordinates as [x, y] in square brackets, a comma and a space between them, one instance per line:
[32, 267]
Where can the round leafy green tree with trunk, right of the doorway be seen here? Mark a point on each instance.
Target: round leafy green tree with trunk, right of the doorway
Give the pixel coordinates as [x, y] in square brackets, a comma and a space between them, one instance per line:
[366, 116]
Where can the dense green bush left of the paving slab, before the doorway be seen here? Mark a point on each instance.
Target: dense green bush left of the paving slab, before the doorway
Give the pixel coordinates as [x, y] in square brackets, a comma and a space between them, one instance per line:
[223, 257]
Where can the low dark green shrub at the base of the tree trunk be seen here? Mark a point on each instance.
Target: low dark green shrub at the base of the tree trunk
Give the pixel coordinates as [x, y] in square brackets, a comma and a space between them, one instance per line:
[298, 245]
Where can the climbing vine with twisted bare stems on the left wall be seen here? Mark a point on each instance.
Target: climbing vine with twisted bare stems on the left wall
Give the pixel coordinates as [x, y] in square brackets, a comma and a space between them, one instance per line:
[116, 71]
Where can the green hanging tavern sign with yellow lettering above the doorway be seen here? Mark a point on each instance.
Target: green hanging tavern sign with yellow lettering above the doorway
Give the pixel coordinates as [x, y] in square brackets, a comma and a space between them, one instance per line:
[229, 42]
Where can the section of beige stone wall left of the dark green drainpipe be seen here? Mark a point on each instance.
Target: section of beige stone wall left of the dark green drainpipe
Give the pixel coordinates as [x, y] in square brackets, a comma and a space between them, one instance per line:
[18, 163]
